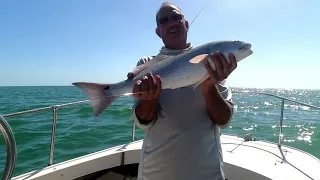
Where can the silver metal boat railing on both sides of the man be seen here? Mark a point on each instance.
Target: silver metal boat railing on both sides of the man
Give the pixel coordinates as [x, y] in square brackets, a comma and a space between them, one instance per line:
[11, 145]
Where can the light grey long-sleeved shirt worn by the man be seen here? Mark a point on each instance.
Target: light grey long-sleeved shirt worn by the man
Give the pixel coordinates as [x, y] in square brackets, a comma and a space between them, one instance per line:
[181, 143]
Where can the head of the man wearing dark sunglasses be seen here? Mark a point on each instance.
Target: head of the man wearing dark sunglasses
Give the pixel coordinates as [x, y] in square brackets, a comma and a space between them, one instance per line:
[172, 27]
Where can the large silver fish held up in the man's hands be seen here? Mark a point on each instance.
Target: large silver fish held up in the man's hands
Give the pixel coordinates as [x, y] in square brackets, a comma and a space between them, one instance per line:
[186, 69]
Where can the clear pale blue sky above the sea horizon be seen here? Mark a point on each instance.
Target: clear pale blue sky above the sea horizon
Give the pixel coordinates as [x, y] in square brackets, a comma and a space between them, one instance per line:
[60, 42]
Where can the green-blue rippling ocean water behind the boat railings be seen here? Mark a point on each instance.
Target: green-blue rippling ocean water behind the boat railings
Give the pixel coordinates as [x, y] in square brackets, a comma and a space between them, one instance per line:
[78, 133]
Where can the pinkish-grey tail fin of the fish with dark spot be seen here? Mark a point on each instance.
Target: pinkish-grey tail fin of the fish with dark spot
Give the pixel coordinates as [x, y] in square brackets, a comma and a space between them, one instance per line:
[98, 94]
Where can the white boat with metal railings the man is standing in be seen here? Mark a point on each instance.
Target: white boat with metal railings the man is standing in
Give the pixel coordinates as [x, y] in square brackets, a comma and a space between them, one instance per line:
[244, 157]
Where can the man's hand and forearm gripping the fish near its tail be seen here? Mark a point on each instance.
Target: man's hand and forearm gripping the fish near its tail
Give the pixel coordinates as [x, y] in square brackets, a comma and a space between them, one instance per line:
[148, 90]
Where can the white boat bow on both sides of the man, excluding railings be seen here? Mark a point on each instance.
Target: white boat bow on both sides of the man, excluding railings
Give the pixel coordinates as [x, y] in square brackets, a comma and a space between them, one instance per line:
[243, 160]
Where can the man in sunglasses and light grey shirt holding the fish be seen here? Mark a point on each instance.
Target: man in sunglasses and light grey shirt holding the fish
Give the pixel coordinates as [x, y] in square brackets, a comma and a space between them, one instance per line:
[182, 126]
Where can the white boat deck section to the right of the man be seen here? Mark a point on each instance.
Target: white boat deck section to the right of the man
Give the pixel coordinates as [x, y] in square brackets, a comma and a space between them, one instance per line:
[265, 159]
